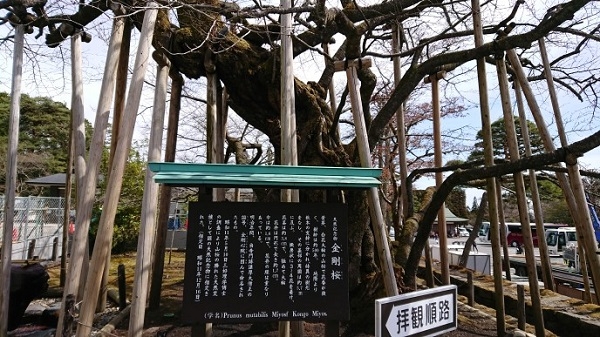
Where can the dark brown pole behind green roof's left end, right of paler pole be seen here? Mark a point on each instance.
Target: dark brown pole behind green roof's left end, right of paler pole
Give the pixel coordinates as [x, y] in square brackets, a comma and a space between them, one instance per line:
[164, 198]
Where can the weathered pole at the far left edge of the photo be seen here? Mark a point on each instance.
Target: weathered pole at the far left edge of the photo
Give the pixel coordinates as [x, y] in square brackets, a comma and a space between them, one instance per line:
[11, 176]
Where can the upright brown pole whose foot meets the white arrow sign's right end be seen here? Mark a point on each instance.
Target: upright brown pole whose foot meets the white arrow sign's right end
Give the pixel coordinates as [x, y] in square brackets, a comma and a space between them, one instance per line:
[439, 176]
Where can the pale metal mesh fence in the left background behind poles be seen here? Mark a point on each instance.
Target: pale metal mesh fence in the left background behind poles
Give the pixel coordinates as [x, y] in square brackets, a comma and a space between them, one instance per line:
[38, 225]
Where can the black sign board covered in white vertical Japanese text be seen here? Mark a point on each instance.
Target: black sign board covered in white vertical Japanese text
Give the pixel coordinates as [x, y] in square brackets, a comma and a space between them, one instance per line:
[248, 254]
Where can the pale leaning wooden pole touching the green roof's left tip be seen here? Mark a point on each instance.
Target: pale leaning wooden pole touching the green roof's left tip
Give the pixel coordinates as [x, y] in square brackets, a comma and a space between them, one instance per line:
[149, 202]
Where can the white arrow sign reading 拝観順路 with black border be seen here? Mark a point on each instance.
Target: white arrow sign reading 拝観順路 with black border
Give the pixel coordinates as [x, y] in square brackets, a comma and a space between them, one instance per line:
[427, 312]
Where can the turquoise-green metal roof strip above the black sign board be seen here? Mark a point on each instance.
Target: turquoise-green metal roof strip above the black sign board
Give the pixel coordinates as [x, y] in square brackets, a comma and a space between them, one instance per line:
[223, 175]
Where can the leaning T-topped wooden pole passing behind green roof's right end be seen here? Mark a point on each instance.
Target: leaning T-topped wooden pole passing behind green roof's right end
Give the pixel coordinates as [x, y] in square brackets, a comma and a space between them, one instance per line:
[381, 241]
